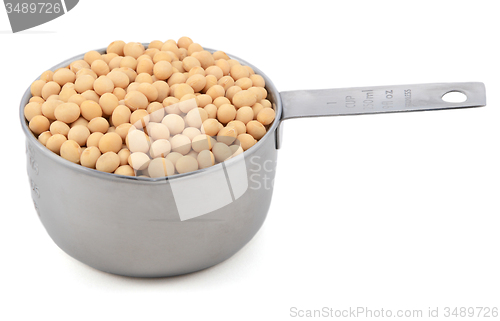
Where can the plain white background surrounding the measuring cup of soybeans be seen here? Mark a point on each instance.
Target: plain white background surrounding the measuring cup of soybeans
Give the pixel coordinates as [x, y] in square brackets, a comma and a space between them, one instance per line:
[395, 211]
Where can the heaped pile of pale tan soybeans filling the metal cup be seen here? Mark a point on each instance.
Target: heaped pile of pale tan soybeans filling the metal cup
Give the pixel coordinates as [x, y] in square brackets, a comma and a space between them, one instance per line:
[167, 109]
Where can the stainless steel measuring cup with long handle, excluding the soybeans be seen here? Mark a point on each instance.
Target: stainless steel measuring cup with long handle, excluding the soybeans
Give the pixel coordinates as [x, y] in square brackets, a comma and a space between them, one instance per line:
[144, 227]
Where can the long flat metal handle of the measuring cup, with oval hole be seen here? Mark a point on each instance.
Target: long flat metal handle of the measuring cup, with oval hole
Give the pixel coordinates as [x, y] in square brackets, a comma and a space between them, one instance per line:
[376, 100]
